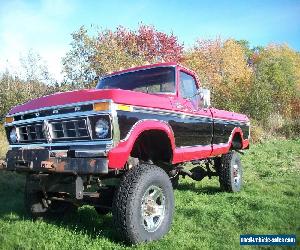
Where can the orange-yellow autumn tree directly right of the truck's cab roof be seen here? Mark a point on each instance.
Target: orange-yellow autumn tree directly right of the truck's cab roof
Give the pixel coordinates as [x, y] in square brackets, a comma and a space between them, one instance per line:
[222, 67]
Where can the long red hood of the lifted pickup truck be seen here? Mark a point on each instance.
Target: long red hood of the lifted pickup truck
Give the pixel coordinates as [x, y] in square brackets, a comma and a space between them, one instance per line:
[117, 95]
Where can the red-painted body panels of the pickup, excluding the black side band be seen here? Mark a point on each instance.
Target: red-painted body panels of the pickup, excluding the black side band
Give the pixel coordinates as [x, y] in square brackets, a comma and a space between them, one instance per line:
[119, 155]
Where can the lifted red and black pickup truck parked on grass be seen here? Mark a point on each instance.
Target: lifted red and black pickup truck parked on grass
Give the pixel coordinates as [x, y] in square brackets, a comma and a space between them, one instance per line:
[128, 139]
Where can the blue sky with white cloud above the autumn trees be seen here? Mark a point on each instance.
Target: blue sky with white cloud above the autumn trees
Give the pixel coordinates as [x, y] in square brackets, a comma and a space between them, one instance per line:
[45, 25]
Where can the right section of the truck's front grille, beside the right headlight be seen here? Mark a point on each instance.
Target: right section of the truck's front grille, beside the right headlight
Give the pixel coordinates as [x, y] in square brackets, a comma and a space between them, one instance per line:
[69, 129]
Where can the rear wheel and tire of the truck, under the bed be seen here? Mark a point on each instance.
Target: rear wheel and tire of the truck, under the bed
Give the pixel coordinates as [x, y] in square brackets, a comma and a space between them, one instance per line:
[230, 172]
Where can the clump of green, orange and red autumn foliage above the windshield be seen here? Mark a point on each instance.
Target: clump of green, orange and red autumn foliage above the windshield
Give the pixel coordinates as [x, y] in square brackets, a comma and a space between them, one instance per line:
[93, 56]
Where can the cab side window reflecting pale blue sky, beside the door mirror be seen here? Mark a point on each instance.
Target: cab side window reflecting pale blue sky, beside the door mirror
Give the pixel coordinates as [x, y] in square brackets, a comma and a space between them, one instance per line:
[188, 89]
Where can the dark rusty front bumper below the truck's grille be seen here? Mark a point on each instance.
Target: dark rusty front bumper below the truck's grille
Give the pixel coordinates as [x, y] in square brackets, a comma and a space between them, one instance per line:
[58, 161]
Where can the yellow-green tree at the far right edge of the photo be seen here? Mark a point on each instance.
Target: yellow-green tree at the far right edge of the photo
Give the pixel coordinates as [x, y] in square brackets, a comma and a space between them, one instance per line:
[274, 88]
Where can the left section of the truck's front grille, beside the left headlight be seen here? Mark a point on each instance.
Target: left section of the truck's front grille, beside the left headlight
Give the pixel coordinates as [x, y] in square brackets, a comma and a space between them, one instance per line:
[32, 132]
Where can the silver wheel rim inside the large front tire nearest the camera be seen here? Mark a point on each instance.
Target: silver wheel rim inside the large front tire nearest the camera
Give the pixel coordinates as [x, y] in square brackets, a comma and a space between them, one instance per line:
[153, 208]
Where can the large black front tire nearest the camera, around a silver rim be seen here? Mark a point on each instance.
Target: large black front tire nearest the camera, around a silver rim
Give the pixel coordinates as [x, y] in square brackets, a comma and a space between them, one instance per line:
[129, 196]
